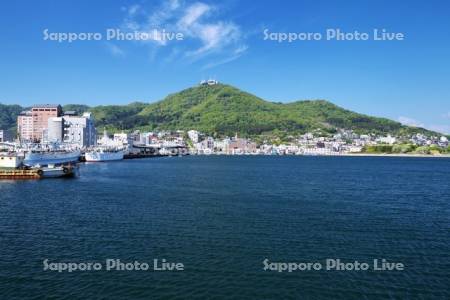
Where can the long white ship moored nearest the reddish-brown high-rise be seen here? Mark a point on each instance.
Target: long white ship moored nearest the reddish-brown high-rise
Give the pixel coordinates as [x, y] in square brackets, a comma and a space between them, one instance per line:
[47, 157]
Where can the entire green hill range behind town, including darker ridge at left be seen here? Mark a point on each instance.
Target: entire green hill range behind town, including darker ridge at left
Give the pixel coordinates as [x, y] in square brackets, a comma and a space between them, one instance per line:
[224, 110]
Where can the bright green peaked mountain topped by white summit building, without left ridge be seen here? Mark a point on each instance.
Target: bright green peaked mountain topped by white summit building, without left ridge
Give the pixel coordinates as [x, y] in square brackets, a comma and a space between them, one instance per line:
[225, 110]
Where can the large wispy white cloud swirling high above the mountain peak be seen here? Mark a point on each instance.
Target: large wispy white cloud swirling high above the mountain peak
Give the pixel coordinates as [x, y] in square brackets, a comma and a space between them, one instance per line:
[205, 33]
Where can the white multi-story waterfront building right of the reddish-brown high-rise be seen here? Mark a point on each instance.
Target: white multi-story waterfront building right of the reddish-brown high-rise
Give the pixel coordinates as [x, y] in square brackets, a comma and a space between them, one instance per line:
[80, 130]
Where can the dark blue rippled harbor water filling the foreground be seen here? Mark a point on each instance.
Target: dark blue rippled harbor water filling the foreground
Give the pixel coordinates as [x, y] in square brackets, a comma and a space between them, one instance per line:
[222, 217]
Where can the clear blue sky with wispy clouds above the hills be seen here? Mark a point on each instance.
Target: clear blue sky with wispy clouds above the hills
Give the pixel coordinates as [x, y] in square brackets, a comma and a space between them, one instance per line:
[407, 80]
